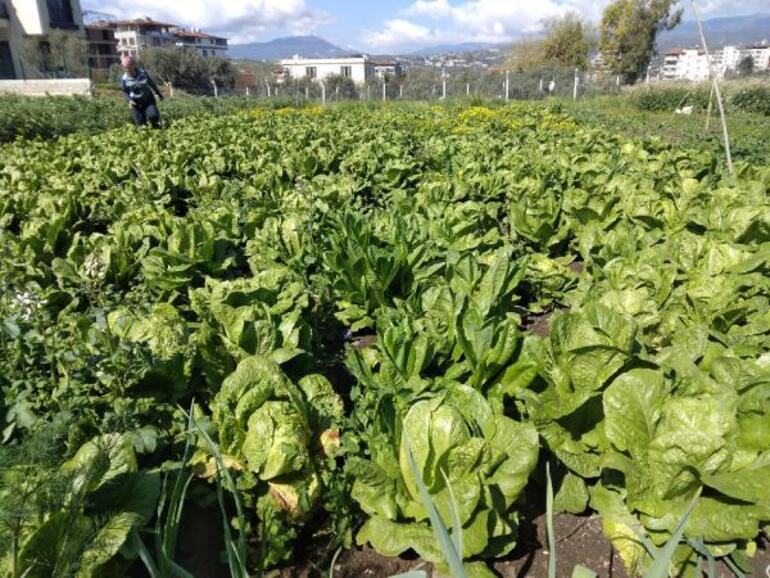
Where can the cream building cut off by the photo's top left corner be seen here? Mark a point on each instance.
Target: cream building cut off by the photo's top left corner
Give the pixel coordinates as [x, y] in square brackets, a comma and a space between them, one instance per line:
[20, 19]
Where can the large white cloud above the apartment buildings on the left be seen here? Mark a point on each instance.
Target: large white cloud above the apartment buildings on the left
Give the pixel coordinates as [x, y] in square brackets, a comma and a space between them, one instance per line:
[241, 20]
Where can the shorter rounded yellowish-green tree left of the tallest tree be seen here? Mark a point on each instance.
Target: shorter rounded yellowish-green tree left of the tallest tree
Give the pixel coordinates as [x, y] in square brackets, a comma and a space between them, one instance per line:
[567, 42]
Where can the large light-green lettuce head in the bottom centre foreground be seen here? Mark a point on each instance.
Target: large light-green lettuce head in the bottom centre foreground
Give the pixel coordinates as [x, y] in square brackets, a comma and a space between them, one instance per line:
[467, 455]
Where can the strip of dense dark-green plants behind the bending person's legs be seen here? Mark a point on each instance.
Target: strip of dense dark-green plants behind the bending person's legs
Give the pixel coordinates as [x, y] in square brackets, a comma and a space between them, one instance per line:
[50, 117]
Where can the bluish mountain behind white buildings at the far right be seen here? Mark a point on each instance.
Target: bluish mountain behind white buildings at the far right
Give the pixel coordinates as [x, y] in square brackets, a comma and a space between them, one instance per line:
[719, 32]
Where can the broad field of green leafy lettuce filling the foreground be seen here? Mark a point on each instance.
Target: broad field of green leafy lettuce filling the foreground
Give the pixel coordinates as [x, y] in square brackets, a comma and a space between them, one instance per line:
[324, 324]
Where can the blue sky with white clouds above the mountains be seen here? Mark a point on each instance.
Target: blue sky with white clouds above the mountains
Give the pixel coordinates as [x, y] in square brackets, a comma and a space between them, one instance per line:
[382, 26]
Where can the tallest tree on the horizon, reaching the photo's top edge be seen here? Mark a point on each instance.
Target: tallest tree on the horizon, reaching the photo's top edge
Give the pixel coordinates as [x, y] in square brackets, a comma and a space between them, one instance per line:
[628, 32]
